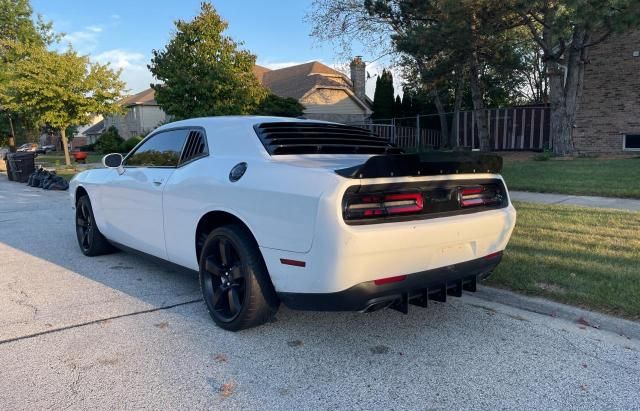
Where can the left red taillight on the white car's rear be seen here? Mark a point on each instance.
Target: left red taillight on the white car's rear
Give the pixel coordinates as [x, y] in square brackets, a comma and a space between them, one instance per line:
[371, 206]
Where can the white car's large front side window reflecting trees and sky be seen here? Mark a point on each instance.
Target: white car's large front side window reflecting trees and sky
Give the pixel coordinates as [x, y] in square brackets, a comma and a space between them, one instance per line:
[161, 150]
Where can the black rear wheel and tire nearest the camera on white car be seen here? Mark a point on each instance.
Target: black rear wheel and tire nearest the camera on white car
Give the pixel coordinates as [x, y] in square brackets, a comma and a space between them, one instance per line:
[234, 280]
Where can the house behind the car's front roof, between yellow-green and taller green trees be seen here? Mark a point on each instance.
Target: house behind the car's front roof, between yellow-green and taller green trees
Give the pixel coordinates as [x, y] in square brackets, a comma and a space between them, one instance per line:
[142, 115]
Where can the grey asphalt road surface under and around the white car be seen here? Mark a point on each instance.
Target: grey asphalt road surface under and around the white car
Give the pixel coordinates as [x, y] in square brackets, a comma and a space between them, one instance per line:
[119, 331]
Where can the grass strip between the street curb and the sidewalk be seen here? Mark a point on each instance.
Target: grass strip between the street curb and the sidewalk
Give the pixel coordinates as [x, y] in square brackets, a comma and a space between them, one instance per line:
[576, 255]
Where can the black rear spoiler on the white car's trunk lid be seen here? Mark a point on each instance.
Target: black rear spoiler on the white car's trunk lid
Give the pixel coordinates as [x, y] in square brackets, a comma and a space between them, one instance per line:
[426, 164]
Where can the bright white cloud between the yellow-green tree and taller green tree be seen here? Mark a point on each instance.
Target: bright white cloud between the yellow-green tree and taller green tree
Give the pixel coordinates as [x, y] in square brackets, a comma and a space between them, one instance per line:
[134, 67]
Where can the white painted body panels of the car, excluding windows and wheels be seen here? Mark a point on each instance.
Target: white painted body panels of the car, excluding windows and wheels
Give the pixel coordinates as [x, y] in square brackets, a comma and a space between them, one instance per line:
[292, 204]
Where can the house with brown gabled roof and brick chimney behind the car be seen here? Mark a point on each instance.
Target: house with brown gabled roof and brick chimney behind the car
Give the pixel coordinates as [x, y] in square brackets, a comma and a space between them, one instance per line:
[325, 93]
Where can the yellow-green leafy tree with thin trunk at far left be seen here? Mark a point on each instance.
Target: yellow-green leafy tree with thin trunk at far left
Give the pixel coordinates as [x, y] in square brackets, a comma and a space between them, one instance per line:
[61, 90]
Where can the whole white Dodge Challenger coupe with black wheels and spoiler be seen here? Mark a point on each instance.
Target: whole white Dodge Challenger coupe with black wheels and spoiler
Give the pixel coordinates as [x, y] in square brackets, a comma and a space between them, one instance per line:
[318, 216]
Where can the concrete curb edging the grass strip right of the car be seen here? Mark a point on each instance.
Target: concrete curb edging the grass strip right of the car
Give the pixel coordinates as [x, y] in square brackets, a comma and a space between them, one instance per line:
[627, 328]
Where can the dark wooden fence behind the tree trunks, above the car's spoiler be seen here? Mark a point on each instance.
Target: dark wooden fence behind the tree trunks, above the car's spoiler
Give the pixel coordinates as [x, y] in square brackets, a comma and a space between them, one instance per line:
[514, 128]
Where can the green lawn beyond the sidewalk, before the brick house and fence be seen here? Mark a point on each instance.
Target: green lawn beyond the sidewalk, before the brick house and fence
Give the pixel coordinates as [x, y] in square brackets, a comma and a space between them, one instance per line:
[608, 178]
